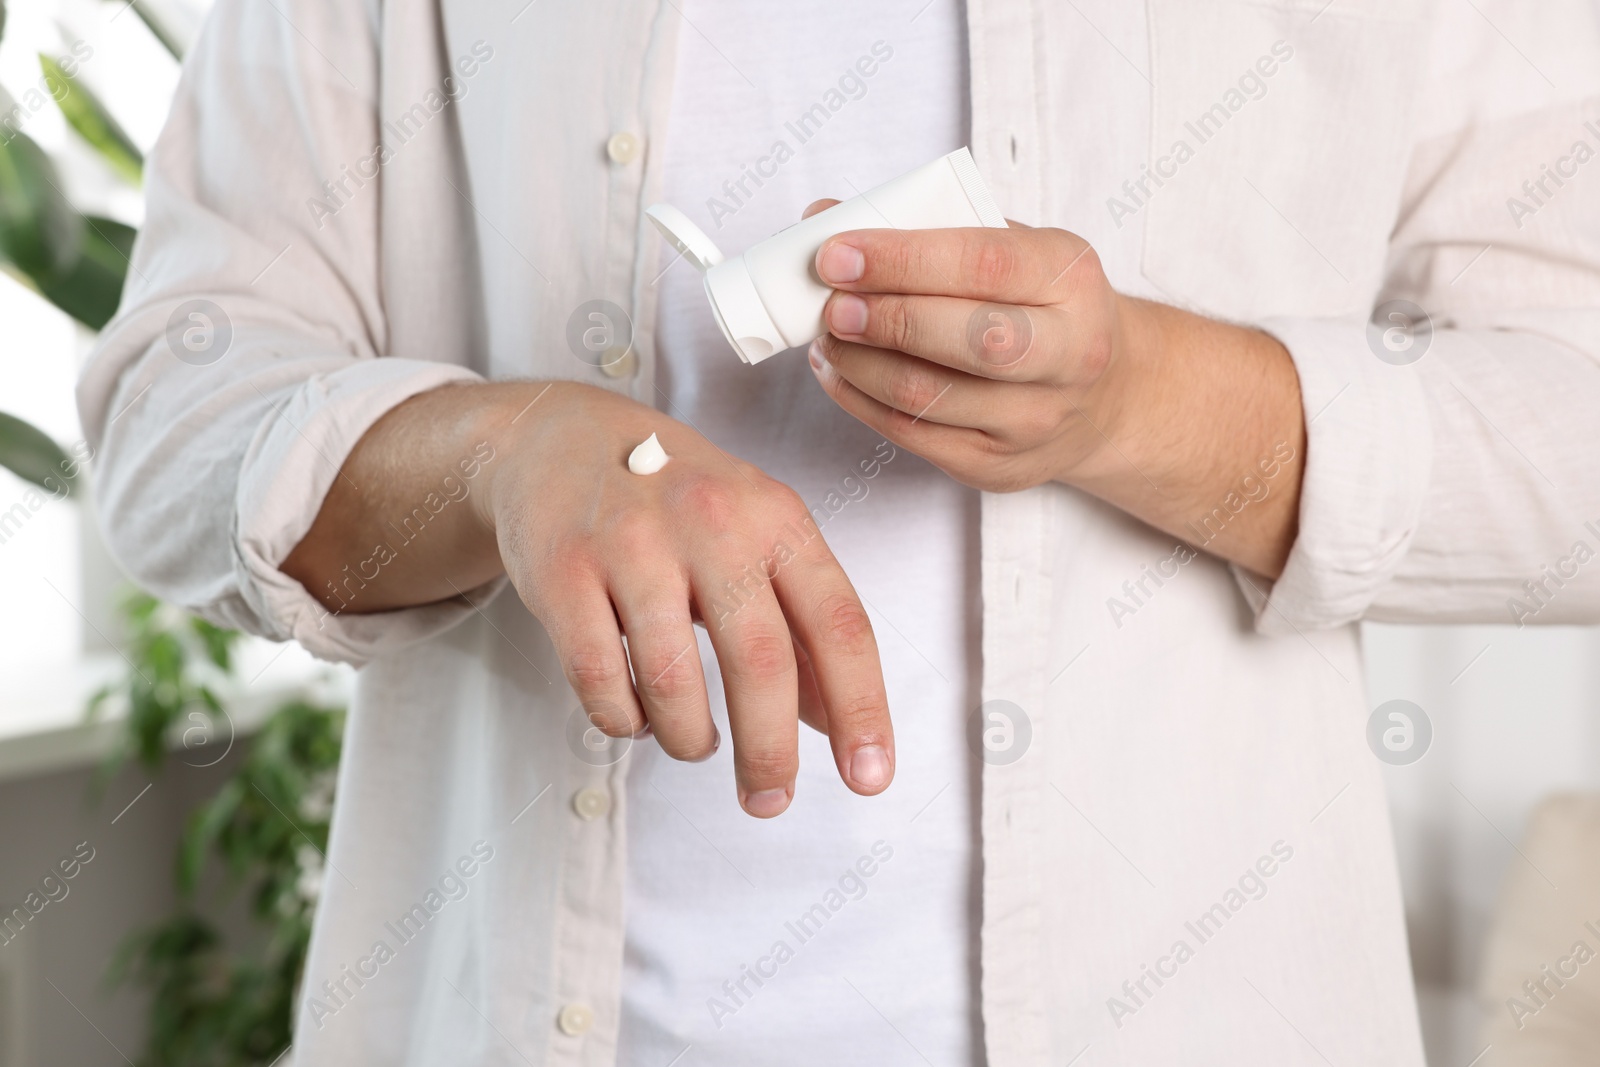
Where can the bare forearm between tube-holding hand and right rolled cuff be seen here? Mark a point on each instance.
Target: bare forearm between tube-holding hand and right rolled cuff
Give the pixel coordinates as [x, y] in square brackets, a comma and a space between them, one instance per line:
[1207, 439]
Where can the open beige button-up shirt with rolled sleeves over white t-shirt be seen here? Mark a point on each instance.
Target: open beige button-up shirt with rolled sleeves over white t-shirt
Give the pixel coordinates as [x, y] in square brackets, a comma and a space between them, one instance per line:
[1191, 860]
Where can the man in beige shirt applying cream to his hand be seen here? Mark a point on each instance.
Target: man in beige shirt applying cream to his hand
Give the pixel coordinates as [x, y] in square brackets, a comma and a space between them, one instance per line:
[1134, 813]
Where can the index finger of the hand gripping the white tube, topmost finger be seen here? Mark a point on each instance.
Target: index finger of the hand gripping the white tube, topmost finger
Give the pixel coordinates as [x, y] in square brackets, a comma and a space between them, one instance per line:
[1010, 266]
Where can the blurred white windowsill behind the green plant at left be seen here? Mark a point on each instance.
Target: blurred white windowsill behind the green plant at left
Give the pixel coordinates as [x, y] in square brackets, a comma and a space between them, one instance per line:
[44, 727]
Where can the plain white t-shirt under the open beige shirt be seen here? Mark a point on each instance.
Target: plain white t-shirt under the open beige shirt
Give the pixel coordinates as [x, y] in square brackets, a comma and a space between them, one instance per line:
[847, 929]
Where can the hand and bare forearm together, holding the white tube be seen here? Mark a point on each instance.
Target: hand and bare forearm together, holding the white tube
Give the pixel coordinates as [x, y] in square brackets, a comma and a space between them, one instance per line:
[1007, 359]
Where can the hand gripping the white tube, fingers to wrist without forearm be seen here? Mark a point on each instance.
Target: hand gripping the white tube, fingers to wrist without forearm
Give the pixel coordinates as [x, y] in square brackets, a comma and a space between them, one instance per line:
[993, 354]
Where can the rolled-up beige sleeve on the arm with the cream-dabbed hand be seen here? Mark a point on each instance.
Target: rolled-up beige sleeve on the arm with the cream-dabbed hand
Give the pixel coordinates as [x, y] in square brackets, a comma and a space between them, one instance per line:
[250, 351]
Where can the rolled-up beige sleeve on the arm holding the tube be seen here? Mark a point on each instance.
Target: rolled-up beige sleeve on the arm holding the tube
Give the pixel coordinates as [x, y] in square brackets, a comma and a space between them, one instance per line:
[1462, 486]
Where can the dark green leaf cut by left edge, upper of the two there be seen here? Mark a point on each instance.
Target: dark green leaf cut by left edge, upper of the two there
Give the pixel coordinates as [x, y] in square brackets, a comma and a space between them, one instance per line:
[41, 234]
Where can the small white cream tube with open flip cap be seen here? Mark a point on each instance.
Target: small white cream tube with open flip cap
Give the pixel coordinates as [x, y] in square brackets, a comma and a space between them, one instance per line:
[770, 298]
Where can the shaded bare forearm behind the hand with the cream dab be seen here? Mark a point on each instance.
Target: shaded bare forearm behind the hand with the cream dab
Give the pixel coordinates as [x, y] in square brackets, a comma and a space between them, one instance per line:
[404, 524]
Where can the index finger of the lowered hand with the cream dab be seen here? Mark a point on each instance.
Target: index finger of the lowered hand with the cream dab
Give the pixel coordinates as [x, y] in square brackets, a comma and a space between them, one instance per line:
[836, 634]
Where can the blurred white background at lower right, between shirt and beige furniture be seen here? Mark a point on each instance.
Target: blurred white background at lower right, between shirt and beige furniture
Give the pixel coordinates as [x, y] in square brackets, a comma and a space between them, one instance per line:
[1516, 716]
